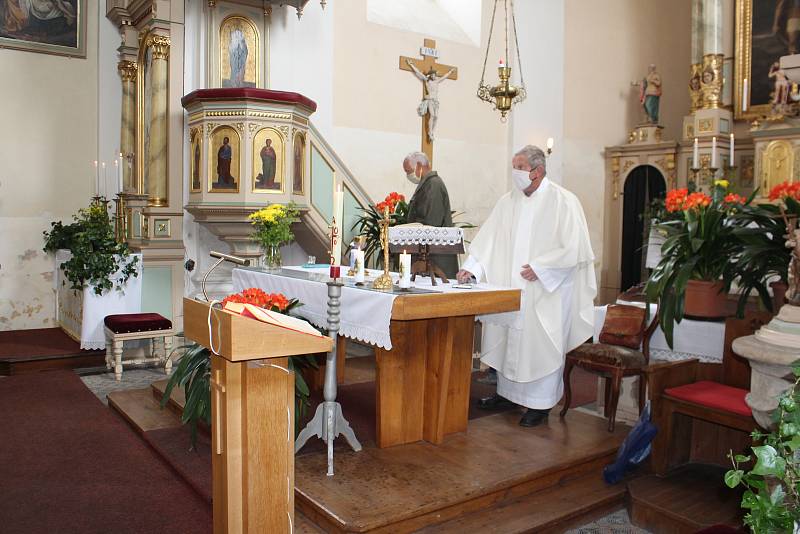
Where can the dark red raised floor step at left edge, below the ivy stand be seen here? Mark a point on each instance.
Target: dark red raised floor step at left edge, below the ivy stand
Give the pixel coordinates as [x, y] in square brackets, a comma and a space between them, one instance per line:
[43, 349]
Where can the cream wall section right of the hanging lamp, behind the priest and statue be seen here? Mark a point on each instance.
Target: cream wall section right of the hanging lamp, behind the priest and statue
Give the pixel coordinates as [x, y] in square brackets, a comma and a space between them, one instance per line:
[607, 45]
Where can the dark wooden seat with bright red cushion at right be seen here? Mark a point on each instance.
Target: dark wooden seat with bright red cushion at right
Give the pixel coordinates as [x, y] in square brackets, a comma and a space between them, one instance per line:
[689, 393]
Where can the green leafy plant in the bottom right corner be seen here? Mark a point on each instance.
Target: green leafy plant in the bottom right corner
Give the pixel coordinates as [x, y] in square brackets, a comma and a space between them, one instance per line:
[770, 476]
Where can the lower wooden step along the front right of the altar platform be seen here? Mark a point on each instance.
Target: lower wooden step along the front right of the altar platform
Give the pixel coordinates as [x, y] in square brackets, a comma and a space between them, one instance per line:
[554, 509]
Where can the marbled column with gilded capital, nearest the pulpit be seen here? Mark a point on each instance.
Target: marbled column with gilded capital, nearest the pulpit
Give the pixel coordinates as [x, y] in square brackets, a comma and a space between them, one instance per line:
[156, 186]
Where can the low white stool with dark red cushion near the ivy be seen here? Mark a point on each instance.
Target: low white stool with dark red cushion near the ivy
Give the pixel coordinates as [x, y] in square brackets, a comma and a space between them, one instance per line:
[130, 326]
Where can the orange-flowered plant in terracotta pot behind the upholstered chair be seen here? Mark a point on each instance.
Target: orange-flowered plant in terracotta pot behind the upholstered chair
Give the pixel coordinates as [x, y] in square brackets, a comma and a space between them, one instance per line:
[690, 278]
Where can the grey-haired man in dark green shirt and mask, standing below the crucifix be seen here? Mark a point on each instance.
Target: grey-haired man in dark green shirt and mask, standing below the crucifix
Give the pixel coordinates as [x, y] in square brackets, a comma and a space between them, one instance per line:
[430, 204]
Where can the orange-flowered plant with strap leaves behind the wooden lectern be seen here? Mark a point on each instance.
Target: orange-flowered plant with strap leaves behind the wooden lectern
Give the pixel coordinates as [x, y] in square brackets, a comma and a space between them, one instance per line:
[193, 370]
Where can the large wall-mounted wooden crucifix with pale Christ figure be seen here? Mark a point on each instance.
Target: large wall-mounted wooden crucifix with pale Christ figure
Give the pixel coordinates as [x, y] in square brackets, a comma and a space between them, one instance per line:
[431, 74]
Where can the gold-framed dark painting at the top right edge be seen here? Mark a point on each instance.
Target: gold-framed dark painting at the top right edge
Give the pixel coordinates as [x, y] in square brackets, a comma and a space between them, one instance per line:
[765, 31]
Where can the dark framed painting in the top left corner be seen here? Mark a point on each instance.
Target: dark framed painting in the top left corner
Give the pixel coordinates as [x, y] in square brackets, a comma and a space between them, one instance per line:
[46, 26]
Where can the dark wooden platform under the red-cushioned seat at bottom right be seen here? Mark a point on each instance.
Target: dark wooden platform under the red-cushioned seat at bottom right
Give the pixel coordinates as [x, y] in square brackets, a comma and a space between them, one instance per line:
[691, 498]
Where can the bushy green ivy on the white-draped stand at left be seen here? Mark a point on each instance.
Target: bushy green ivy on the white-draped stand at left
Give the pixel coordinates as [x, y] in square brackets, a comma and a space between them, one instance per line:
[96, 258]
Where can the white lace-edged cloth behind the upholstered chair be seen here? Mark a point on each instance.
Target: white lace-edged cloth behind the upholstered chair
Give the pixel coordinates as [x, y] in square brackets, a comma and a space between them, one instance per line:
[692, 339]
